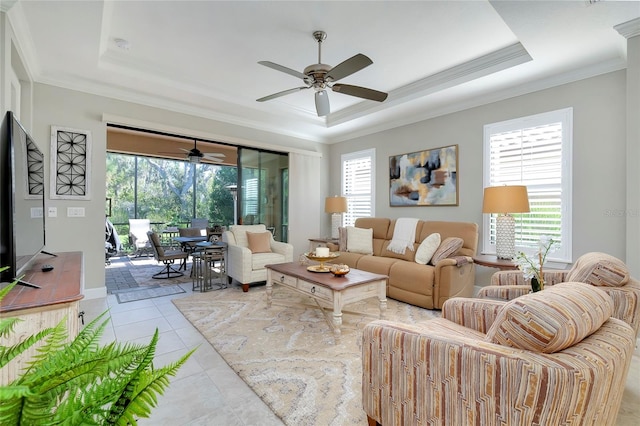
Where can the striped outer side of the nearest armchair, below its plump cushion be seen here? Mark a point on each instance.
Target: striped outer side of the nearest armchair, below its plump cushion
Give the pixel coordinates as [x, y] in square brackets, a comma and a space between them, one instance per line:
[432, 374]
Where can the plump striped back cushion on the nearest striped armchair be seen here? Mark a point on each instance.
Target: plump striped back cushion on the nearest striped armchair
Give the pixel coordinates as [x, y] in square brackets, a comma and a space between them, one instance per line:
[553, 319]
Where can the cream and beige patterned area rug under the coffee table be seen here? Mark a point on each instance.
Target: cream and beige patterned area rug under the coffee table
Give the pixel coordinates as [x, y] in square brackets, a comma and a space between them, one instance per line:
[287, 355]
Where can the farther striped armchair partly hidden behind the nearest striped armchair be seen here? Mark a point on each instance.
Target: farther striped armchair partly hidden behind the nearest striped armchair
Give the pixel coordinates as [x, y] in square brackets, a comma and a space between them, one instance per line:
[599, 269]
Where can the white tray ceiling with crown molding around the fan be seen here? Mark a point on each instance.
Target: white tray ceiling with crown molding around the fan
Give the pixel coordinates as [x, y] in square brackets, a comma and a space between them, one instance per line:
[433, 57]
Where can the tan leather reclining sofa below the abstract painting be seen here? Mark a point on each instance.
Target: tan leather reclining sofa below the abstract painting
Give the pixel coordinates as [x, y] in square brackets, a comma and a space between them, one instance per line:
[427, 286]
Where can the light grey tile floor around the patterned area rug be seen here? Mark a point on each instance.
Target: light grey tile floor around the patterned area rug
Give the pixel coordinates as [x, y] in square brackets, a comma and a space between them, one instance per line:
[206, 391]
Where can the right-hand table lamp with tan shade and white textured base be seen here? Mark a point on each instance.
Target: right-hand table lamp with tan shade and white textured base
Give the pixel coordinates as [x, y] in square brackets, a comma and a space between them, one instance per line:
[505, 200]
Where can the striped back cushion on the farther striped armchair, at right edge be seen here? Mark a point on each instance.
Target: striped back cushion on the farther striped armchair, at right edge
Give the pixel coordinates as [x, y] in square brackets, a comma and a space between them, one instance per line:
[599, 269]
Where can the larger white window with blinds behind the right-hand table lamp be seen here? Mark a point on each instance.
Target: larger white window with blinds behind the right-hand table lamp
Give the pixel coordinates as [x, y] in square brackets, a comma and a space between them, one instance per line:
[534, 151]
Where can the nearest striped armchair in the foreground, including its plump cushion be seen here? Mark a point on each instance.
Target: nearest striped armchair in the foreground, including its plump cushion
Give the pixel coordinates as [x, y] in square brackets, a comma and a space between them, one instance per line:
[547, 358]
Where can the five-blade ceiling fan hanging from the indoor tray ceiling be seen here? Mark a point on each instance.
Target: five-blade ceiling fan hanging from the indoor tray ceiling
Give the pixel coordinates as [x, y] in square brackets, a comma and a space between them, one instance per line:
[322, 76]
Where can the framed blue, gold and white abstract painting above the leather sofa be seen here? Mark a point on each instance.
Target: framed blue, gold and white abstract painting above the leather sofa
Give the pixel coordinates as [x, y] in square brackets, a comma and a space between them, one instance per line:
[424, 178]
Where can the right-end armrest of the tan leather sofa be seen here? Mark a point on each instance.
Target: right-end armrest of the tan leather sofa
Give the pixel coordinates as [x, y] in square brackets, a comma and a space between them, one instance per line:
[453, 278]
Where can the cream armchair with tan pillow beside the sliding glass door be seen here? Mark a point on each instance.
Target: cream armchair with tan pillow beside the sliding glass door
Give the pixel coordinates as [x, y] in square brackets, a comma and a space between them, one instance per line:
[249, 249]
